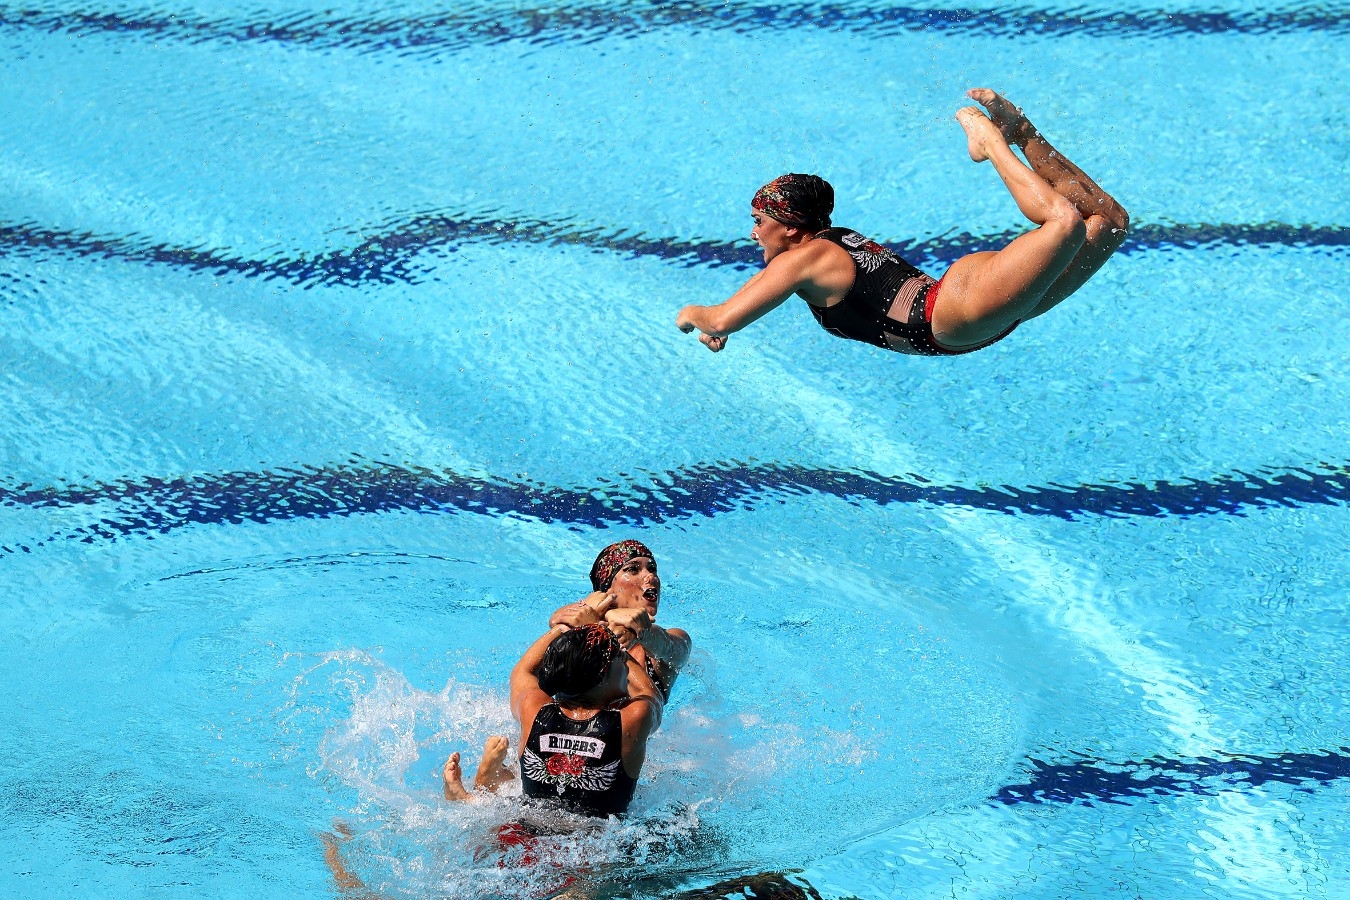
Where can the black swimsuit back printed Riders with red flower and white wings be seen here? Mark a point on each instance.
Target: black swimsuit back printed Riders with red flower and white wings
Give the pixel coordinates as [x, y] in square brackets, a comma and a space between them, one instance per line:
[577, 766]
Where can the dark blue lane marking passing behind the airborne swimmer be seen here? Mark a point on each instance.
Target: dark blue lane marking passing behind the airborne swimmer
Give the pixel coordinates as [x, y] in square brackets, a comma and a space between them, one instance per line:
[391, 257]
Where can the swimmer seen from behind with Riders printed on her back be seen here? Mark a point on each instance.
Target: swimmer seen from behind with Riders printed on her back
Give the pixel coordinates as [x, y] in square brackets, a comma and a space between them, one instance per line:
[587, 709]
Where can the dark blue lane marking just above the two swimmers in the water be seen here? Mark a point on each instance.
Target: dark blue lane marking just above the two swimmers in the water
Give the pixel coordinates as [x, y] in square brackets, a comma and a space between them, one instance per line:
[152, 505]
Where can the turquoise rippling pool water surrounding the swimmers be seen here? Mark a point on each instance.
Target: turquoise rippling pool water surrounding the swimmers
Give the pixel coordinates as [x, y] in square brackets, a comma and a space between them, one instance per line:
[337, 341]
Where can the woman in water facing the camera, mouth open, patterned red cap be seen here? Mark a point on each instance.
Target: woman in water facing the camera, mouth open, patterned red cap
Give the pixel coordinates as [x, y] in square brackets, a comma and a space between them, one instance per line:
[627, 594]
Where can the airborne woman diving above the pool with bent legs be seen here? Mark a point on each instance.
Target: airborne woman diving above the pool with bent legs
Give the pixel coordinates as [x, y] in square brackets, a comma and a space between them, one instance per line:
[861, 291]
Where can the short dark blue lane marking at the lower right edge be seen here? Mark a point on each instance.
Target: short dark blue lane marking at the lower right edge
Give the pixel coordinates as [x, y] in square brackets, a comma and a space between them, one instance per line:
[1101, 782]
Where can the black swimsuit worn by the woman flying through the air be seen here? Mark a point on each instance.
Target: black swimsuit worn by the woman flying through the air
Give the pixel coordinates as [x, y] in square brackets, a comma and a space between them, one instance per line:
[889, 306]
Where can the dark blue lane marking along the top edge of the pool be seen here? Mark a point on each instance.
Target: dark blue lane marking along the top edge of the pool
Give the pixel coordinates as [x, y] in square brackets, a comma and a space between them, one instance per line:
[427, 37]
